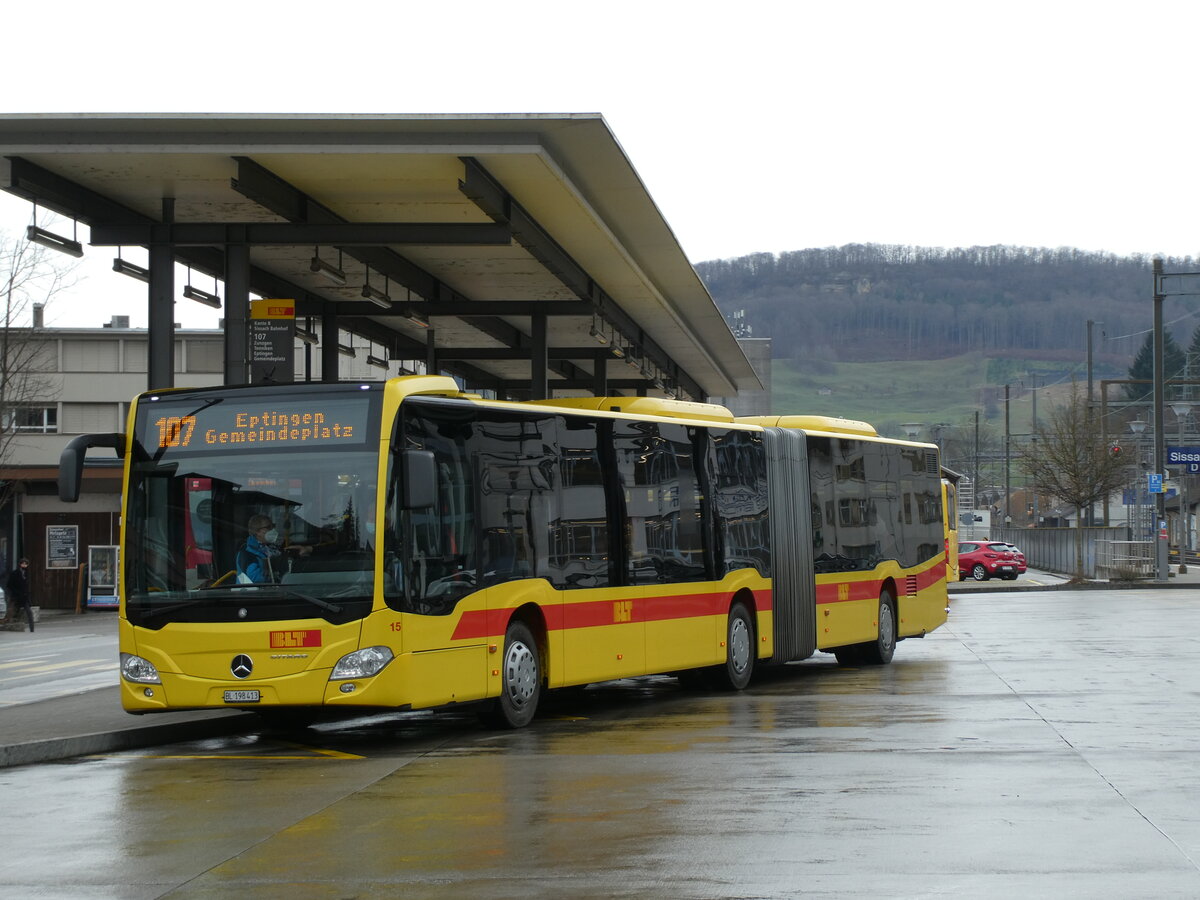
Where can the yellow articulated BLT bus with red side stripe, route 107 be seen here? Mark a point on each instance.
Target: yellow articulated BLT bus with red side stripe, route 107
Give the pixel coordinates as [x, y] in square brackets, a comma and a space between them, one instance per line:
[405, 545]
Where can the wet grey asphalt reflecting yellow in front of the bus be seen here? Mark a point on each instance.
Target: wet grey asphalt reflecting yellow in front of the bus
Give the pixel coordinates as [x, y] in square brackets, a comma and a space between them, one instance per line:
[1042, 745]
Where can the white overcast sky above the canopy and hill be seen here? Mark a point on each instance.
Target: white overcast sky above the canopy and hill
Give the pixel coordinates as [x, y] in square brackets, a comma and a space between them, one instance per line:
[757, 127]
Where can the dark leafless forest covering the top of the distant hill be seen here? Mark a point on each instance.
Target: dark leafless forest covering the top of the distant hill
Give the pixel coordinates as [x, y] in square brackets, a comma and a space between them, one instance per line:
[871, 302]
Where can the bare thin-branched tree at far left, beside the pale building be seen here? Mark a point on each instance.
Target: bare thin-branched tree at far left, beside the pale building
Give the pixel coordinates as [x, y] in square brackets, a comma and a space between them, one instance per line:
[31, 277]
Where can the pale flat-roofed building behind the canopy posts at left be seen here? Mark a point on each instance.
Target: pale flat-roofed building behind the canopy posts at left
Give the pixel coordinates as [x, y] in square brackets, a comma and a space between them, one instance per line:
[82, 382]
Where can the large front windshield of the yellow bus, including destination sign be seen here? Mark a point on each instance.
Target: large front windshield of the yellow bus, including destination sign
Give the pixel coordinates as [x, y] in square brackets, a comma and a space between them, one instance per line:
[250, 508]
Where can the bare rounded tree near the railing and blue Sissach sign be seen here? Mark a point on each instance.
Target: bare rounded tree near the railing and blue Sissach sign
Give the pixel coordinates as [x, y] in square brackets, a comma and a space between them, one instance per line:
[1072, 463]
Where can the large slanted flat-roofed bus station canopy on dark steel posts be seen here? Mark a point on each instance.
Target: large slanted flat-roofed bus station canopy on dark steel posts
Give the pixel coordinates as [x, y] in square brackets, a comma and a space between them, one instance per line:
[520, 253]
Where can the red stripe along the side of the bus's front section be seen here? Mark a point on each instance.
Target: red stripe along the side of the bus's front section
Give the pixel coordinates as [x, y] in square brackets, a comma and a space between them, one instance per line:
[593, 614]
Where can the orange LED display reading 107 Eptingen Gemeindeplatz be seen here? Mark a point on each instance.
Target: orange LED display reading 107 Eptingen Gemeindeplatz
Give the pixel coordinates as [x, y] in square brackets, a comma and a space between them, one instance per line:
[196, 427]
